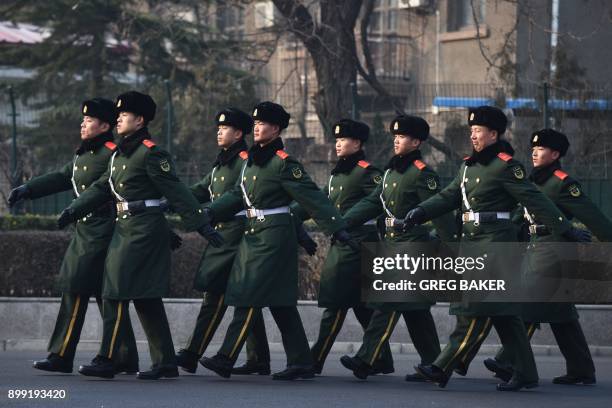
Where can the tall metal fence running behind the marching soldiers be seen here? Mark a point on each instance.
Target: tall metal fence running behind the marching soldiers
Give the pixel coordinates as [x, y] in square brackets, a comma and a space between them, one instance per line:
[584, 114]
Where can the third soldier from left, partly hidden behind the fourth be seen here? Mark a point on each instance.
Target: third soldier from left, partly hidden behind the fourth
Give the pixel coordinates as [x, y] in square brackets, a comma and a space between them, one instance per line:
[232, 127]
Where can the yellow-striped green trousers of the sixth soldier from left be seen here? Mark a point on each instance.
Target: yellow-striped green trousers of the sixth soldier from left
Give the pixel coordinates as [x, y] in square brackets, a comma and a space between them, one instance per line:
[420, 325]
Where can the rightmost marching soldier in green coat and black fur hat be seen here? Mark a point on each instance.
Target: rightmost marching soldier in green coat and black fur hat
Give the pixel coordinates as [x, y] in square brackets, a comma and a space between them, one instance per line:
[548, 146]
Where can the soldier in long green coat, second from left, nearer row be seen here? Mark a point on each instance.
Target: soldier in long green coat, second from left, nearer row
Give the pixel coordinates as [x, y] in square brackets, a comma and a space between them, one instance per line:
[137, 265]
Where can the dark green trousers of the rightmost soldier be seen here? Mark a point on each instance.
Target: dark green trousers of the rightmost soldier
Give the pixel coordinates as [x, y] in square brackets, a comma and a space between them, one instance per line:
[572, 344]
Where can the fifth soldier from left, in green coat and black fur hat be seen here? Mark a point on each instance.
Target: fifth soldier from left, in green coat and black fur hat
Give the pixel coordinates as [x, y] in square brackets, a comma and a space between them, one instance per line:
[352, 179]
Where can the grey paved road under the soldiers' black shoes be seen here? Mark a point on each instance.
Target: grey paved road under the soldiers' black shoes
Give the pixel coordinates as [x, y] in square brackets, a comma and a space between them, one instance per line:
[337, 388]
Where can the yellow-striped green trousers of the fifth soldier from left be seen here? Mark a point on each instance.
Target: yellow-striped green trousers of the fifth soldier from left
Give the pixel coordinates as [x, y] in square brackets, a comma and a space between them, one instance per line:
[331, 323]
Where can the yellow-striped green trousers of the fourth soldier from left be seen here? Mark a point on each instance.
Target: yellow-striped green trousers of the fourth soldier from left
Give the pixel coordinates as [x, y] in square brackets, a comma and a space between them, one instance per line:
[289, 323]
